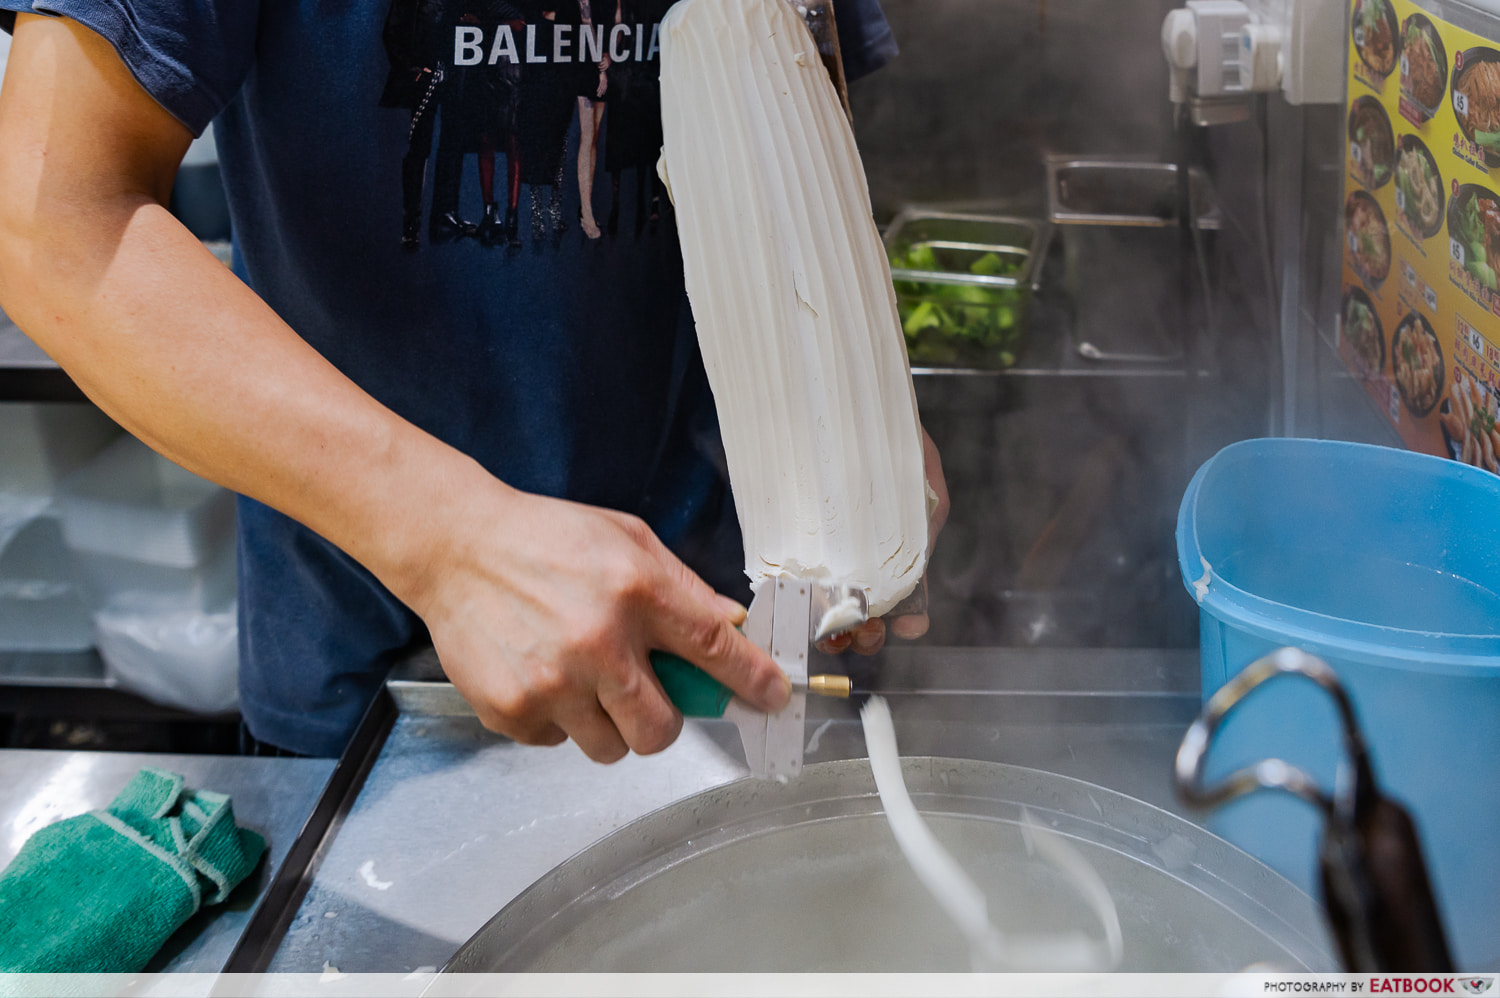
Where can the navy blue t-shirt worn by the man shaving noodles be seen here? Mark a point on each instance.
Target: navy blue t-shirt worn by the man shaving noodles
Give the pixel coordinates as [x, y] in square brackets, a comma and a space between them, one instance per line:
[406, 191]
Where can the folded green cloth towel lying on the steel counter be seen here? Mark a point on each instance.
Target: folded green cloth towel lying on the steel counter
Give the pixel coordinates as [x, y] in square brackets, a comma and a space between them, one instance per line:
[103, 892]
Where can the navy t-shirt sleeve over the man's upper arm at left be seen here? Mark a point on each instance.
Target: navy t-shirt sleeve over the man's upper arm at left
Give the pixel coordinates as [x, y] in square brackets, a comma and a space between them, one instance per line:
[190, 55]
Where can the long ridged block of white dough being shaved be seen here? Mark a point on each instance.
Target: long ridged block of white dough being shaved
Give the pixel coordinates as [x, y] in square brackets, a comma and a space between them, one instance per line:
[793, 296]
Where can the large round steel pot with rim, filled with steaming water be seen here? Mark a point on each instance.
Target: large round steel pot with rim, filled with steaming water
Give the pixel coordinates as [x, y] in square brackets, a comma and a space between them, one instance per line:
[808, 877]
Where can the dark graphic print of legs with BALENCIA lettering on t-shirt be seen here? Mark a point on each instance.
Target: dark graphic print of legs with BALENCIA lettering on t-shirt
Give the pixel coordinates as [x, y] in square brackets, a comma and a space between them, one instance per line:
[505, 82]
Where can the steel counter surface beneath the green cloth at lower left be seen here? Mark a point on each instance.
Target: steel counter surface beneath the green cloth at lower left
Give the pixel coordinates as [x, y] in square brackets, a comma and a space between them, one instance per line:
[271, 796]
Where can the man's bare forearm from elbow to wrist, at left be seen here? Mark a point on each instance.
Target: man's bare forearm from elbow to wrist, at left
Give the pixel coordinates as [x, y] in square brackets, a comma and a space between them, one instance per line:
[181, 353]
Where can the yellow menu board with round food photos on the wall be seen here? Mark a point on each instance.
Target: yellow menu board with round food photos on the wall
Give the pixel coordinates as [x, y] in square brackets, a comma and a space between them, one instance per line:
[1420, 319]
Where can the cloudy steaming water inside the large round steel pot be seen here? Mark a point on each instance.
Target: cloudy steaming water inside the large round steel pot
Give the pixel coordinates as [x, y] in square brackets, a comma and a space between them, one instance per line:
[838, 897]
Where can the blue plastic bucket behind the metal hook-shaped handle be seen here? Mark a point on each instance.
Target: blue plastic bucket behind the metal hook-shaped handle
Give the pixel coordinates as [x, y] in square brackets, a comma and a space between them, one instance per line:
[1387, 565]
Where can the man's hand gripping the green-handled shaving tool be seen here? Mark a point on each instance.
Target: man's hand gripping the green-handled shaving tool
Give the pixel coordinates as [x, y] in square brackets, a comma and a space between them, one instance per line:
[545, 613]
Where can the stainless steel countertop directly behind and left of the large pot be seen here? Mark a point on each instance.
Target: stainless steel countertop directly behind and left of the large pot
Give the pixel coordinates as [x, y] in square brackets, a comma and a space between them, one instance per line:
[452, 822]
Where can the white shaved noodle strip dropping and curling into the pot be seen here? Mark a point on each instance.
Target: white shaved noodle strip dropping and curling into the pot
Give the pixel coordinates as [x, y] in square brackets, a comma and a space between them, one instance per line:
[962, 900]
